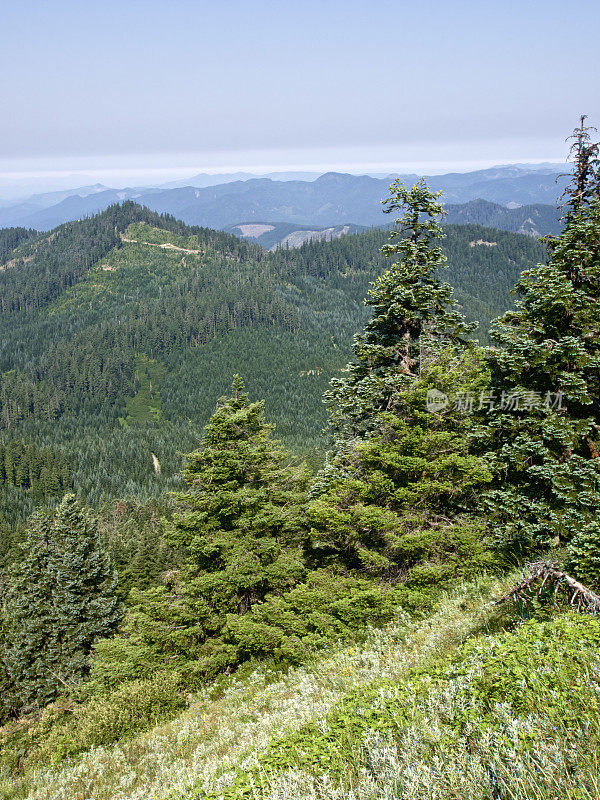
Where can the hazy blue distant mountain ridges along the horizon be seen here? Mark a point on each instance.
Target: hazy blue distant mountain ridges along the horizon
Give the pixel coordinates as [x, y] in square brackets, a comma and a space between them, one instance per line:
[330, 200]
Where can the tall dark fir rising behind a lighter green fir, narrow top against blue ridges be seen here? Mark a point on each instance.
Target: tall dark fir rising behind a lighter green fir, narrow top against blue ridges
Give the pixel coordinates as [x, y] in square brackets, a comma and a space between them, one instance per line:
[410, 304]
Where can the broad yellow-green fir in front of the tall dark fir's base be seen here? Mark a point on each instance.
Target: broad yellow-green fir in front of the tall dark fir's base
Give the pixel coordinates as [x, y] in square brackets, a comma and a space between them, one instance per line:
[401, 503]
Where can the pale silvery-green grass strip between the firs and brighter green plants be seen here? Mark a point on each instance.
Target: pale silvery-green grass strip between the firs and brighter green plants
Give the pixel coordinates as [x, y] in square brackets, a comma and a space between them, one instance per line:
[238, 715]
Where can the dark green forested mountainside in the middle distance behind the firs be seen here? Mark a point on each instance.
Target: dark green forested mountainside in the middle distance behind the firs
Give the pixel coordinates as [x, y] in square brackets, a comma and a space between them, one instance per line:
[120, 331]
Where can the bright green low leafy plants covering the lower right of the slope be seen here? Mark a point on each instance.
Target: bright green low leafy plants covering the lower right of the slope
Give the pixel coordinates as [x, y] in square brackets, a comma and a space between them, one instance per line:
[513, 714]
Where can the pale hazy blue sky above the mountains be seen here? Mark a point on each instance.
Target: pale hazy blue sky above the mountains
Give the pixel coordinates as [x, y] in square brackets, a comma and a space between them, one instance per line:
[137, 92]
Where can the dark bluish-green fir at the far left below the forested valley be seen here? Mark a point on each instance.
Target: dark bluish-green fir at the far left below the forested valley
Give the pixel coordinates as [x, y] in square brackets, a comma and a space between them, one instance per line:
[62, 597]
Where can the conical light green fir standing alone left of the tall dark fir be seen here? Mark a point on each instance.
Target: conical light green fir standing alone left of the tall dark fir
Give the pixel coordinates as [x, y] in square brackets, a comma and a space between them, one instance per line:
[242, 532]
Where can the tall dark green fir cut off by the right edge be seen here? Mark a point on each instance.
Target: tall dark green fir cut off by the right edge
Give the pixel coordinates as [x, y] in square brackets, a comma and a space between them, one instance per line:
[543, 434]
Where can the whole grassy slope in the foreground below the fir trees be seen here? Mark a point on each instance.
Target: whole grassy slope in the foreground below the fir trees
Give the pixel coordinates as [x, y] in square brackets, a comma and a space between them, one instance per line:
[458, 705]
